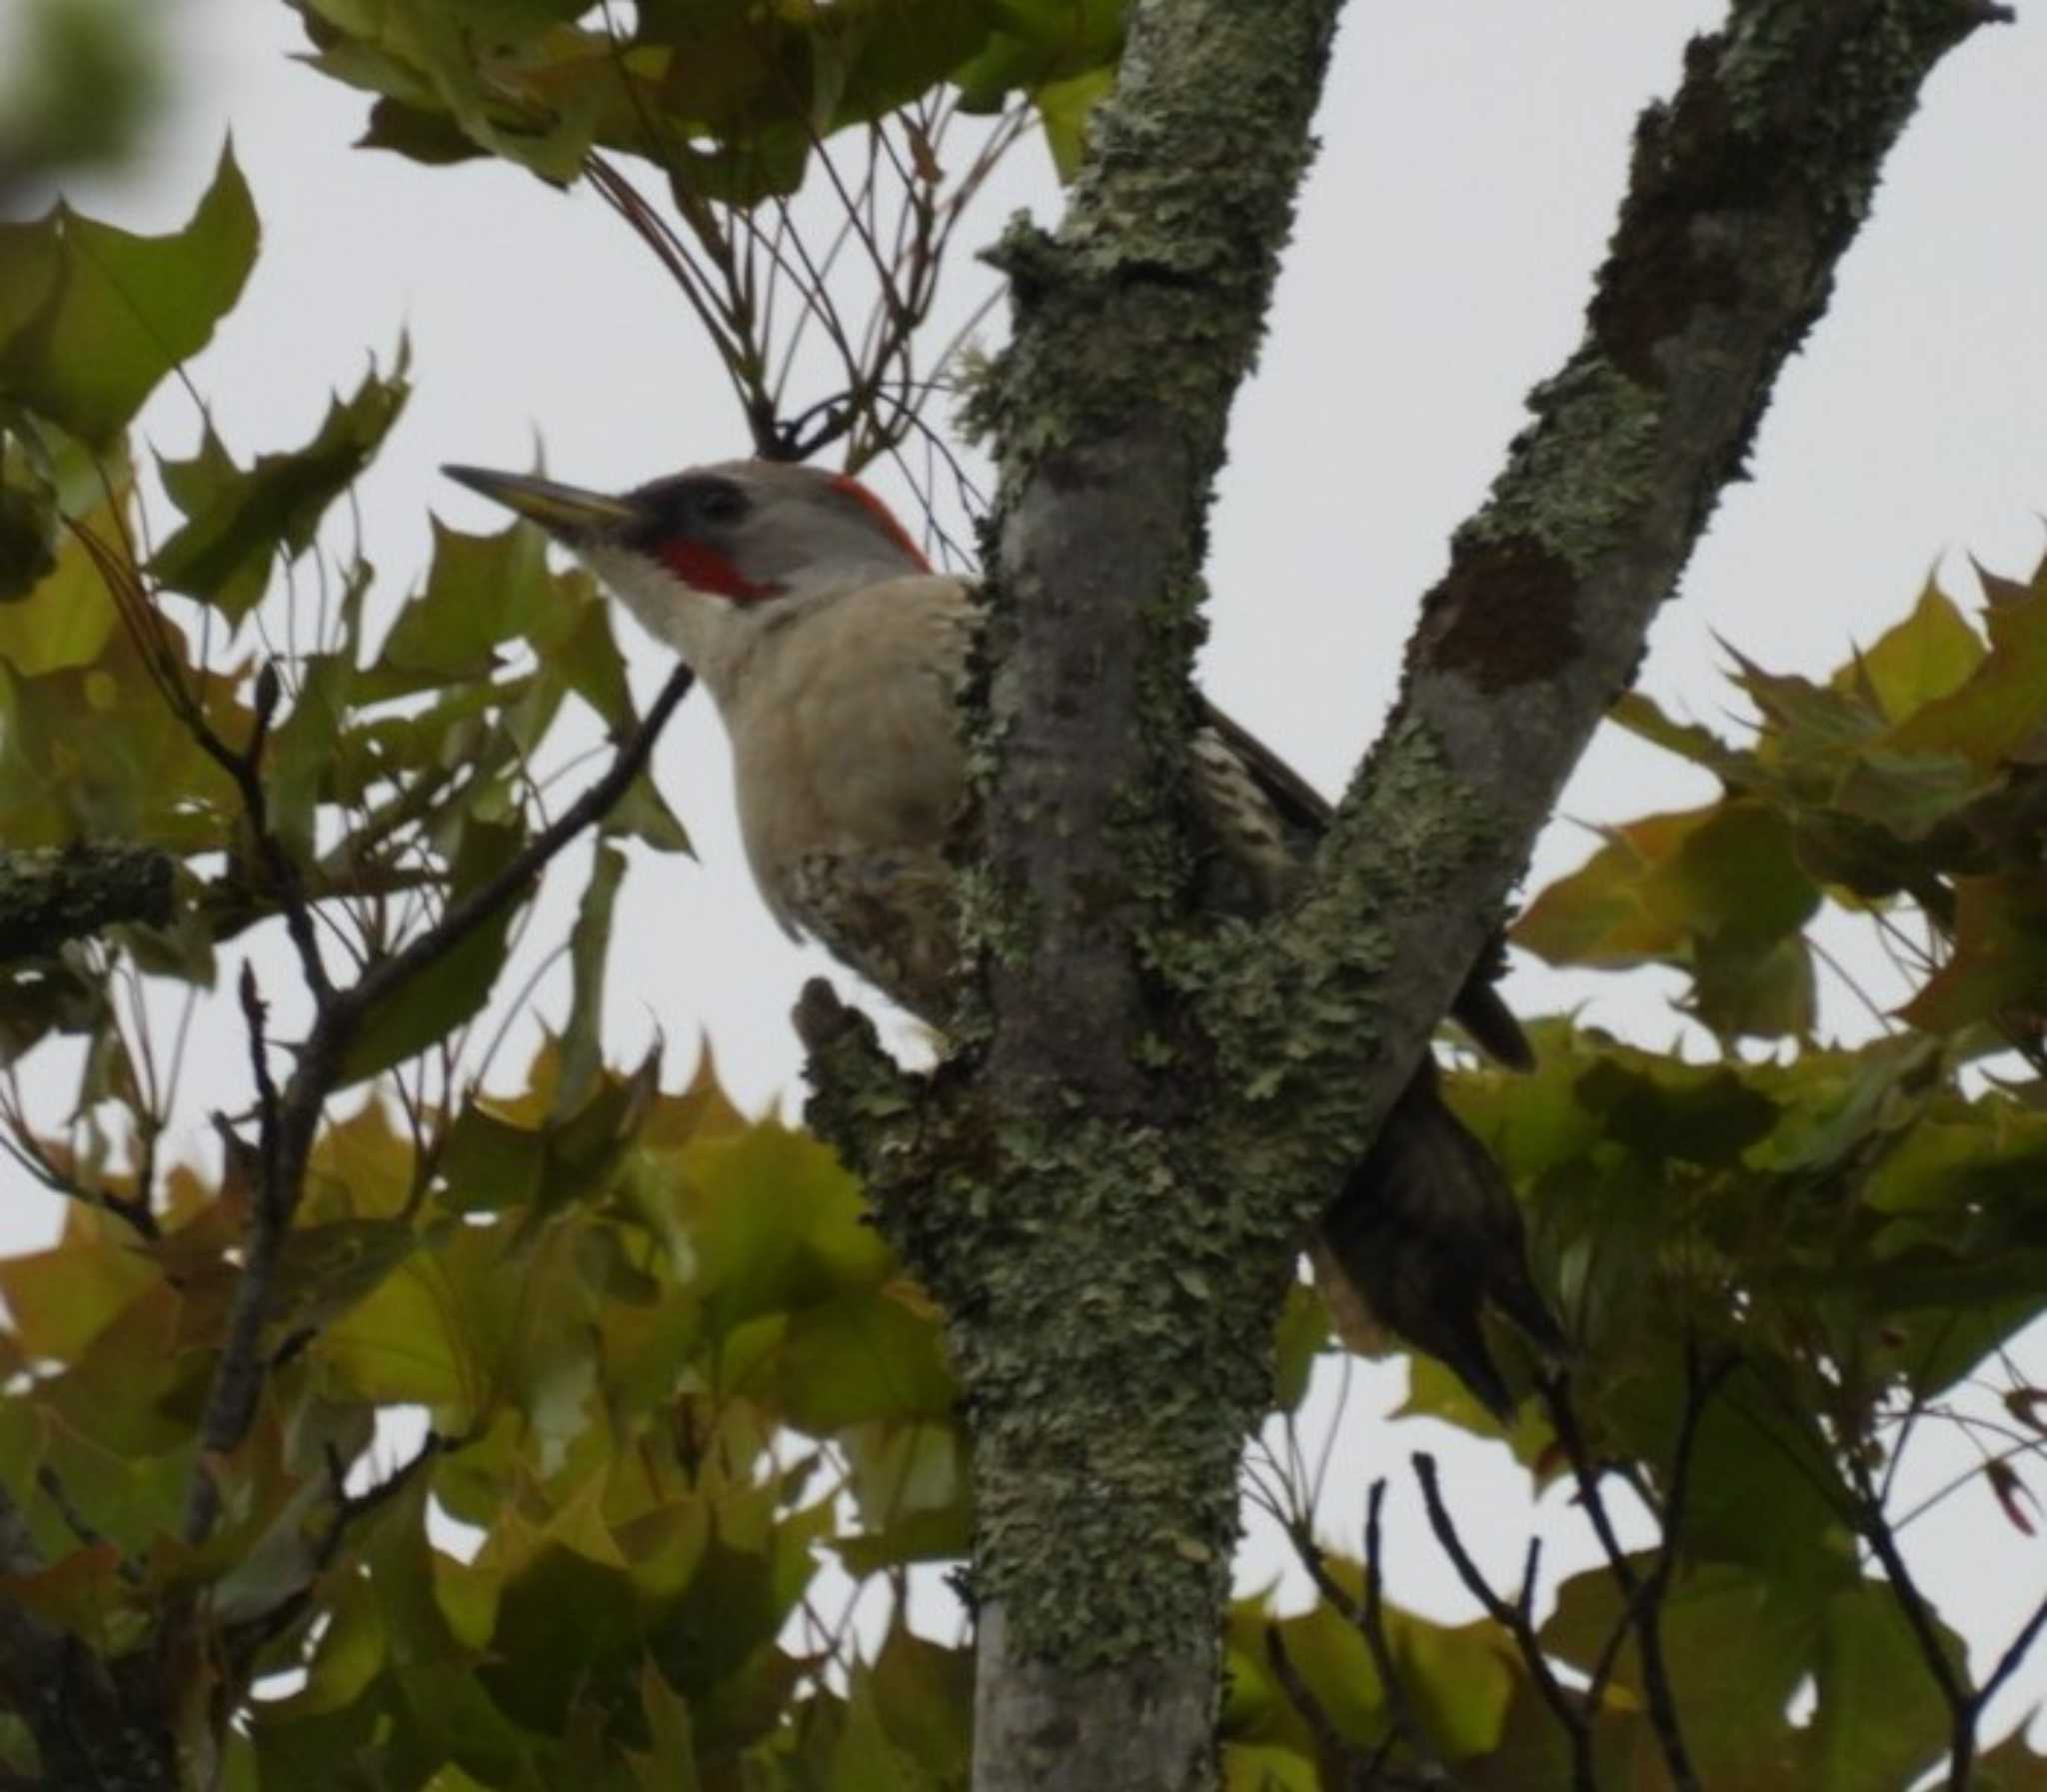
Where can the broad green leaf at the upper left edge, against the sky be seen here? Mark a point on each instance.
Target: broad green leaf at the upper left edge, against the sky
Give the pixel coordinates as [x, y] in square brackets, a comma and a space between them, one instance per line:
[112, 312]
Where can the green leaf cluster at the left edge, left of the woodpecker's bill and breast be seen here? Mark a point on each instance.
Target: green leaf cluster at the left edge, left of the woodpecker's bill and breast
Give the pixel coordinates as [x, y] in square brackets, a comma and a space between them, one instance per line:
[394, 779]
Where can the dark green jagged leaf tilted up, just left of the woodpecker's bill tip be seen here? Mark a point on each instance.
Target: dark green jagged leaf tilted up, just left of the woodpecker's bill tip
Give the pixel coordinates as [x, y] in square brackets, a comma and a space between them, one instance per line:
[243, 521]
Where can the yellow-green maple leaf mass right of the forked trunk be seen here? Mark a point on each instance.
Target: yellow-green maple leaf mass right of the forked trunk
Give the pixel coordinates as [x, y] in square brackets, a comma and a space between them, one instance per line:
[1784, 1273]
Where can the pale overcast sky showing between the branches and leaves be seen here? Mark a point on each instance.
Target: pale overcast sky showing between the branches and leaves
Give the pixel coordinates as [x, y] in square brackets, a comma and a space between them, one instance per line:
[1475, 153]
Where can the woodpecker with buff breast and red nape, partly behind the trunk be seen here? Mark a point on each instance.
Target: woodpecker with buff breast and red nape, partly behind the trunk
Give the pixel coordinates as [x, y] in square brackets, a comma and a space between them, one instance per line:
[836, 656]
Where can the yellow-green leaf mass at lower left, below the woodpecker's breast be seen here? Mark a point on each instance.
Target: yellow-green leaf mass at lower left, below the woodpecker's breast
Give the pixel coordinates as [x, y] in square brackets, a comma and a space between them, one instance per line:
[664, 1361]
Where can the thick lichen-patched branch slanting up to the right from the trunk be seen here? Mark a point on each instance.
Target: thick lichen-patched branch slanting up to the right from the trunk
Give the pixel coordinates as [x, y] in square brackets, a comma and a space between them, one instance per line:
[1745, 194]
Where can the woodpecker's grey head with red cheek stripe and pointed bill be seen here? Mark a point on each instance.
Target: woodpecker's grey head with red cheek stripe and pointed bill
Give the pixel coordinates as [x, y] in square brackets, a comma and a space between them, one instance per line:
[713, 558]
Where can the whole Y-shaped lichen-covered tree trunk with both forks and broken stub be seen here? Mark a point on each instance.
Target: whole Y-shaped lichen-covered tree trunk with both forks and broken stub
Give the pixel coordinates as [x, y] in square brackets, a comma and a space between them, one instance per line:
[1104, 1185]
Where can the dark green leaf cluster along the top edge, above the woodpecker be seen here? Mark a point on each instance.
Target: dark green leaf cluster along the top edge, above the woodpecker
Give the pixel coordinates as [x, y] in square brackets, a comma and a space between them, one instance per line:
[726, 97]
